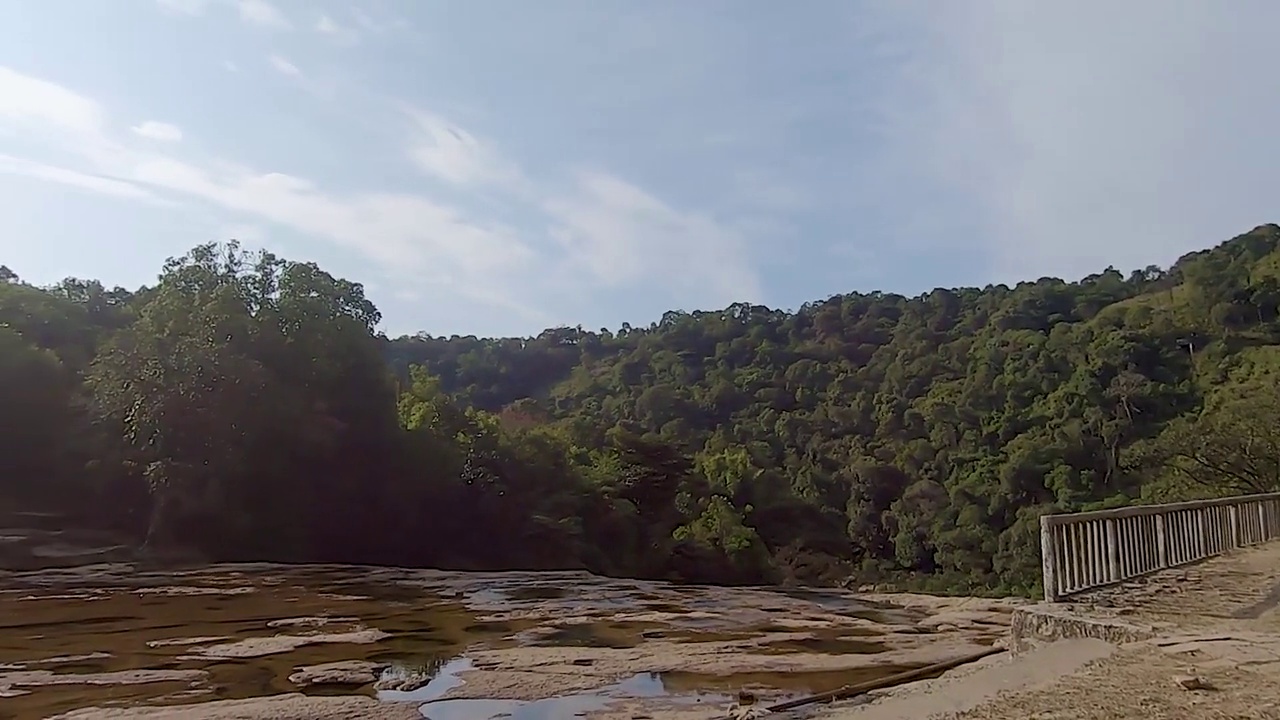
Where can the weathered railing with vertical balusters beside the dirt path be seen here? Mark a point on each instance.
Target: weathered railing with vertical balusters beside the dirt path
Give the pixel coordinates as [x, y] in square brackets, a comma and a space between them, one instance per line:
[1082, 552]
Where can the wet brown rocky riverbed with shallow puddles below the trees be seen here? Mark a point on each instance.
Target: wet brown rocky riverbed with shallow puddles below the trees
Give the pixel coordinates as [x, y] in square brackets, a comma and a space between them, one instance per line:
[267, 641]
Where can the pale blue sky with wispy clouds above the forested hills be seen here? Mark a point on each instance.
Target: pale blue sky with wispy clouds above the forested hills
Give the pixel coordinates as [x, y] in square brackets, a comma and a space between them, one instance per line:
[504, 166]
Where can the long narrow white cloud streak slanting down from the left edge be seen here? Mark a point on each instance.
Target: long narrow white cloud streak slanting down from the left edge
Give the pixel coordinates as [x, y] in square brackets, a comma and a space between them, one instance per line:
[410, 236]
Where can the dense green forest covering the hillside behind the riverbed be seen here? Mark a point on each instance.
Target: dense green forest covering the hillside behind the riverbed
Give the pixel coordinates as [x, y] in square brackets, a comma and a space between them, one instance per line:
[246, 408]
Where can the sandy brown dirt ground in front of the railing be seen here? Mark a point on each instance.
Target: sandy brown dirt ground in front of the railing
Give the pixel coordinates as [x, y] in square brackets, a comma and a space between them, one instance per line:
[1222, 627]
